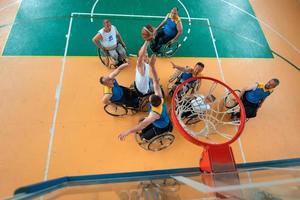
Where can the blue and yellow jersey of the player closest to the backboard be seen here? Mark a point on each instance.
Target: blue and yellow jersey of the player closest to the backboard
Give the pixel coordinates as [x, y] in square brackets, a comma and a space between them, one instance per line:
[164, 120]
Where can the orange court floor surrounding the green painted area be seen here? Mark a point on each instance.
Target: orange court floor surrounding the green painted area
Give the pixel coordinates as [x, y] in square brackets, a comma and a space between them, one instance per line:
[85, 139]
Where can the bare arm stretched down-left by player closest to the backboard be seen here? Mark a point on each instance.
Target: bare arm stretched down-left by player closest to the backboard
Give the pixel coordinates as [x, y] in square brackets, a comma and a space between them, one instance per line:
[143, 124]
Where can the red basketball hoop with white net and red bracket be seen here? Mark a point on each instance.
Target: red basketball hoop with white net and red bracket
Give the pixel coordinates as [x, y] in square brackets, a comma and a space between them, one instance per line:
[204, 116]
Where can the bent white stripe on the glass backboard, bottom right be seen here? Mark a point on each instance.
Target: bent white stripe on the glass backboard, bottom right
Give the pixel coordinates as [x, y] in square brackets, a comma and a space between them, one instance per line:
[204, 188]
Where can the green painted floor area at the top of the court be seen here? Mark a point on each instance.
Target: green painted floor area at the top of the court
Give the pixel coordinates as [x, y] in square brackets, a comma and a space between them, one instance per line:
[41, 26]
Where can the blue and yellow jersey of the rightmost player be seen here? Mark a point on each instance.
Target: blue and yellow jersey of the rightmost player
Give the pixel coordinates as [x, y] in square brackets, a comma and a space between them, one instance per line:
[259, 94]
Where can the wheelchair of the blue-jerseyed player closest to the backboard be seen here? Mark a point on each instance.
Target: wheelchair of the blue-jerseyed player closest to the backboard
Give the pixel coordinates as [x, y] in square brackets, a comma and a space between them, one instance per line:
[157, 143]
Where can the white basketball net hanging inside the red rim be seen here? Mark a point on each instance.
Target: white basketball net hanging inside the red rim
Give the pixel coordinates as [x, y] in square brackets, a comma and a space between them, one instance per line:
[204, 116]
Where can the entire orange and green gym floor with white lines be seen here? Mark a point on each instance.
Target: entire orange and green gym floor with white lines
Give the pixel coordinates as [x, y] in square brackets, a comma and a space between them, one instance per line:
[52, 121]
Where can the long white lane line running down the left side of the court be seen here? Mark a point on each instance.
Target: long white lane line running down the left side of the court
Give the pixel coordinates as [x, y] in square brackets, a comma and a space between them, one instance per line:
[57, 99]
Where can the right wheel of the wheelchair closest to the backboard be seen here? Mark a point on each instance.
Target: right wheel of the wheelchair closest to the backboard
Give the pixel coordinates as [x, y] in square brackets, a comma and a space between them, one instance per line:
[161, 142]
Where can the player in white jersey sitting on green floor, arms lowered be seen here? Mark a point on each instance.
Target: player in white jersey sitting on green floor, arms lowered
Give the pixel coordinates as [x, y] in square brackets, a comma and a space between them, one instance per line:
[109, 39]
